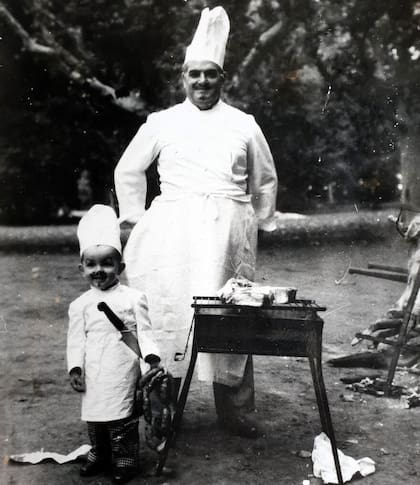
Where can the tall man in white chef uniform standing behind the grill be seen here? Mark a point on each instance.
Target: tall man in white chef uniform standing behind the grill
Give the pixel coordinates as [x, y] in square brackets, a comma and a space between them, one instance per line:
[218, 186]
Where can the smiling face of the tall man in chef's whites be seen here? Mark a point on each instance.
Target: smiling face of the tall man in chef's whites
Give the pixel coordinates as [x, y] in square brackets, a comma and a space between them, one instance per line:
[203, 81]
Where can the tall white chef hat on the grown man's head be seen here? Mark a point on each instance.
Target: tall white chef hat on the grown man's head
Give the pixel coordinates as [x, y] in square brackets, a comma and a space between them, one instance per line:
[210, 38]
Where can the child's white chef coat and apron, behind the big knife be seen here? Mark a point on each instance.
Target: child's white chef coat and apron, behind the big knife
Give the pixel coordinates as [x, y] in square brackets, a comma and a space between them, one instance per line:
[111, 369]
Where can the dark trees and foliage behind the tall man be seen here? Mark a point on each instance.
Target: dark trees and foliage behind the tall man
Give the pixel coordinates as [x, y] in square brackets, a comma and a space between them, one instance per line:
[333, 85]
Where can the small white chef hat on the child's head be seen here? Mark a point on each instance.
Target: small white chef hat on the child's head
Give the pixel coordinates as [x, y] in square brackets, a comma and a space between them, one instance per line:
[99, 226]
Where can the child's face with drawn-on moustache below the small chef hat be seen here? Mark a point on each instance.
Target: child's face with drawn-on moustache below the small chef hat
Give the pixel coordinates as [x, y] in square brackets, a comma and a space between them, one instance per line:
[101, 266]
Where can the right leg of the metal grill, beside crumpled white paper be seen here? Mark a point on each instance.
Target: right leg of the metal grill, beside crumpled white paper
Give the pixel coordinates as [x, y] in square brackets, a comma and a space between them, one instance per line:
[324, 410]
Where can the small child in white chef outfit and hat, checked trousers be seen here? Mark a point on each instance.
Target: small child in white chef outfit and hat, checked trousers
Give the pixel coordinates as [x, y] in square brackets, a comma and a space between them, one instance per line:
[101, 366]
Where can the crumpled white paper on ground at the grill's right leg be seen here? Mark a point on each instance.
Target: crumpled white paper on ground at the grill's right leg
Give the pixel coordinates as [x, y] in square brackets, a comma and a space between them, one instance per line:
[324, 467]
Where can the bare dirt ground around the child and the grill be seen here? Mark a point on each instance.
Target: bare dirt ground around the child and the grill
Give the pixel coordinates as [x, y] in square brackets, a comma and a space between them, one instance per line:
[39, 409]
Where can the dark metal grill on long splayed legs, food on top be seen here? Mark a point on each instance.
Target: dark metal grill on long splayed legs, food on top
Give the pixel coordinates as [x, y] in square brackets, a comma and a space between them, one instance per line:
[290, 329]
